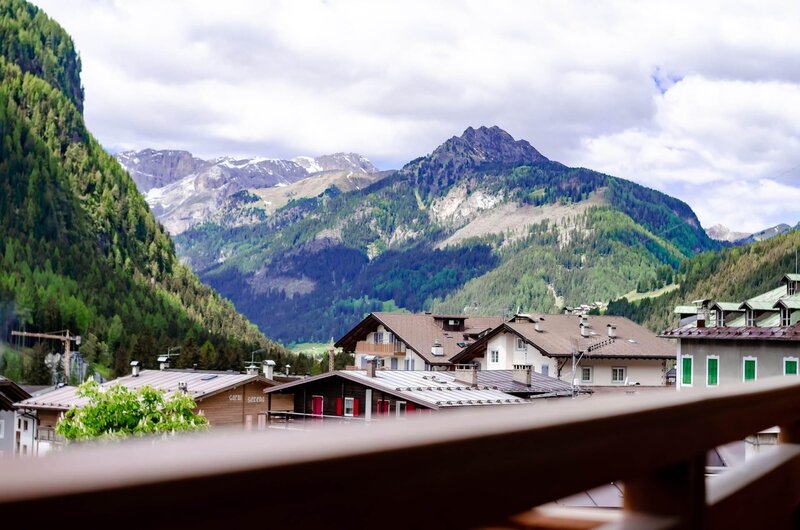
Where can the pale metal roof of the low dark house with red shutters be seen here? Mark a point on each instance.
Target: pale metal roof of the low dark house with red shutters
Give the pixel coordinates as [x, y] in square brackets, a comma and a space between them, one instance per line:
[434, 389]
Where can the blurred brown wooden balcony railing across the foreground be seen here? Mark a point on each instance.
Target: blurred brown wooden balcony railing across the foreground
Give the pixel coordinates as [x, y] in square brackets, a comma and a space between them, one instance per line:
[499, 468]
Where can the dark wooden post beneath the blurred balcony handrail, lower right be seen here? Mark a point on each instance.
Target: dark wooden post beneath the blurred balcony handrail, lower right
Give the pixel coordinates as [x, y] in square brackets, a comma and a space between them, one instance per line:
[678, 490]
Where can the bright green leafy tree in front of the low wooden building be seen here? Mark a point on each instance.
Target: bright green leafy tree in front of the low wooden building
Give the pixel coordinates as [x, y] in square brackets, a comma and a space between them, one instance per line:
[117, 412]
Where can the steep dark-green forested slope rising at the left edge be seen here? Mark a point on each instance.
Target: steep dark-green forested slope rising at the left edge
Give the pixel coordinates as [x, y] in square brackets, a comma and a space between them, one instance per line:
[80, 248]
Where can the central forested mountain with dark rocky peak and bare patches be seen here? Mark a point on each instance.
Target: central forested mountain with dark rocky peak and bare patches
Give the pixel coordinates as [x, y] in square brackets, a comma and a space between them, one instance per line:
[484, 224]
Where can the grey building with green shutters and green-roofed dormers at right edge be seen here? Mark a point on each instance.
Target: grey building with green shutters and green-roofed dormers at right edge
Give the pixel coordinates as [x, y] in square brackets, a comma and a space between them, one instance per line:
[724, 342]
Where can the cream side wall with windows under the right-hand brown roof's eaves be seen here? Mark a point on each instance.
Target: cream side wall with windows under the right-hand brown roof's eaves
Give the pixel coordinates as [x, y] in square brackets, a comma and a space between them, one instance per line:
[615, 372]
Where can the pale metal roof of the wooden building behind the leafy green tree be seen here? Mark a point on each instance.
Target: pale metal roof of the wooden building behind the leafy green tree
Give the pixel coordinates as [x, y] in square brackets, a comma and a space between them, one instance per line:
[199, 385]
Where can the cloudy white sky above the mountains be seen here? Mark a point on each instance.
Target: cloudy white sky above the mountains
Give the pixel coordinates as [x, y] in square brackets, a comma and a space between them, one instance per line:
[700, 100]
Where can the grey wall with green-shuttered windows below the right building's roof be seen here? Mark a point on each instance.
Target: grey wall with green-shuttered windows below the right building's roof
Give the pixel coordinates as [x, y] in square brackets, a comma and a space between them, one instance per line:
[736, 359]
